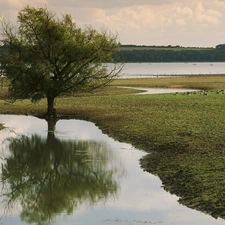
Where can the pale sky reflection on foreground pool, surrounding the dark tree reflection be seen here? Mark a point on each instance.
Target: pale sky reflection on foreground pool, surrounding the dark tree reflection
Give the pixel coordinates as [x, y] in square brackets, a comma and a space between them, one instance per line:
[141, 200]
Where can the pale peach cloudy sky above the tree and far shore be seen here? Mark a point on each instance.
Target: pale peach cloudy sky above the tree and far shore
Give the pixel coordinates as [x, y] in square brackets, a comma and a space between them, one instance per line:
[188, 23]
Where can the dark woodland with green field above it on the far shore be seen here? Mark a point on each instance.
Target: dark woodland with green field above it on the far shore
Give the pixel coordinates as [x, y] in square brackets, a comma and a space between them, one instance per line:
[137, 53]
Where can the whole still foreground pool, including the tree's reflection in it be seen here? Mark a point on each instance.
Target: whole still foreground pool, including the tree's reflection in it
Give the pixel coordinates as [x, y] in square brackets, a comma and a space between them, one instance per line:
[78, 175]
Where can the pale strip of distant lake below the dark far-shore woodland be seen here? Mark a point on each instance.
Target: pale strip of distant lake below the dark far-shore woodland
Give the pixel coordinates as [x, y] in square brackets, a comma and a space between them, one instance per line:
[143, 70]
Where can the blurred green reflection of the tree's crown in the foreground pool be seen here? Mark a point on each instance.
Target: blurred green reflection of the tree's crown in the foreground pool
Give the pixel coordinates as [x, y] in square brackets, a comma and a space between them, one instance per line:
[49, 176]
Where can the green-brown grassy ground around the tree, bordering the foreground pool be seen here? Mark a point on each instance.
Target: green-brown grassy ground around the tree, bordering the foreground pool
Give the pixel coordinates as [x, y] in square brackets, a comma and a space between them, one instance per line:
[183, 134]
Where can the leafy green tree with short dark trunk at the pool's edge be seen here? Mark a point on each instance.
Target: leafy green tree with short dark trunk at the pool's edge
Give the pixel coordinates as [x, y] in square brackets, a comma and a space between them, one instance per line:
[48, 56]
